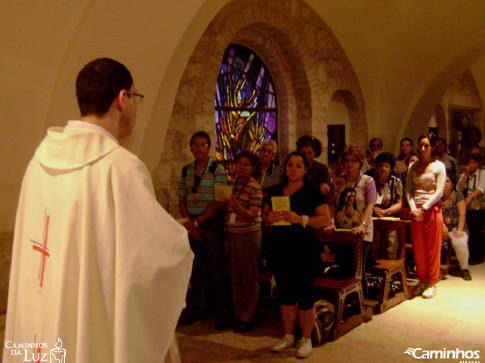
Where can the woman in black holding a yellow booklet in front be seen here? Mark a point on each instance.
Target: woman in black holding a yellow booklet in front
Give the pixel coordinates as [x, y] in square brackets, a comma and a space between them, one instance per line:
[294, 208]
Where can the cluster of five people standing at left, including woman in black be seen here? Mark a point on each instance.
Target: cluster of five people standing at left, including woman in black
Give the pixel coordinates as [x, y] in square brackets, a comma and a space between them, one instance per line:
[236, 224]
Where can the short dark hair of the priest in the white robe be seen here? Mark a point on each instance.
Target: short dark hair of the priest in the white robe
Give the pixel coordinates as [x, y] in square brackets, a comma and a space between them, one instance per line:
[99, 83]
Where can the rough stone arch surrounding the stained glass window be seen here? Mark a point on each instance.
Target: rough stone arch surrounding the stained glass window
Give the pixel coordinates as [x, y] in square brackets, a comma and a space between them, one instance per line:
[307, 65]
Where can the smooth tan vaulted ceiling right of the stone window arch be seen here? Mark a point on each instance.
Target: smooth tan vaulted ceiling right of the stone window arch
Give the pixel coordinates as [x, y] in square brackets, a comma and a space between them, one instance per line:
[407, 53]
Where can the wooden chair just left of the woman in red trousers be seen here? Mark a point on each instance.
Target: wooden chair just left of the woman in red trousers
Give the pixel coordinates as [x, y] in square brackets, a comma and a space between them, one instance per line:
[391, 271]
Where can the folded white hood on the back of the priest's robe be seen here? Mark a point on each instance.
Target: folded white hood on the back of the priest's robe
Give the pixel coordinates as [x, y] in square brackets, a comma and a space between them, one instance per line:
[74, 146]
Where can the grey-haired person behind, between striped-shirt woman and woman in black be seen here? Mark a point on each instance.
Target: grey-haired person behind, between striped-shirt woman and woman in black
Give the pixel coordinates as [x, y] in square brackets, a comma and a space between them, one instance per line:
[267, 173]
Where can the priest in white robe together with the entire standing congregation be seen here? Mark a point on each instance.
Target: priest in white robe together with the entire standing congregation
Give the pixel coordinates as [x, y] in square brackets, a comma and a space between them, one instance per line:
[113, 276]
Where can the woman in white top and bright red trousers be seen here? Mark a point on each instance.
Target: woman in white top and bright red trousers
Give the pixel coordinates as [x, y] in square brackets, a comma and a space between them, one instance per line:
[425, 183]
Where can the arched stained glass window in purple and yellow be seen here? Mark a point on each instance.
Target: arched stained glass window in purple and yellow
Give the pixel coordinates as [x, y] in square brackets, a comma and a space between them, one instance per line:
[245, 104]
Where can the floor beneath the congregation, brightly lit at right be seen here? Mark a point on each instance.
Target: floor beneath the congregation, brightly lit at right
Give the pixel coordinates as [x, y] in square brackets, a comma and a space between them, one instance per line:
[454, 319]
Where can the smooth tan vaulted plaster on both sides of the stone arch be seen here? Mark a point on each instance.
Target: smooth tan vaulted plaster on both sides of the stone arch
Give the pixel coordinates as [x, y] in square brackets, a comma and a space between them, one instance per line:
[405, 53]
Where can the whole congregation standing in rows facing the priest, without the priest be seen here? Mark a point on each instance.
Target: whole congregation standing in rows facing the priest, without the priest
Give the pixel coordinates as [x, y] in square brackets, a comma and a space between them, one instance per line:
[312, 198]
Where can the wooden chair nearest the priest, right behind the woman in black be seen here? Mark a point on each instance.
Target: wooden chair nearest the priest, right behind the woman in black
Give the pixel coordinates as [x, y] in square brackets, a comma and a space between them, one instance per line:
[344, 288]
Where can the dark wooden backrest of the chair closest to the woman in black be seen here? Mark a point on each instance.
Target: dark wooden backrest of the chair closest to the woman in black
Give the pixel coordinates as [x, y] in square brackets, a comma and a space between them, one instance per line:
[345, 238]
